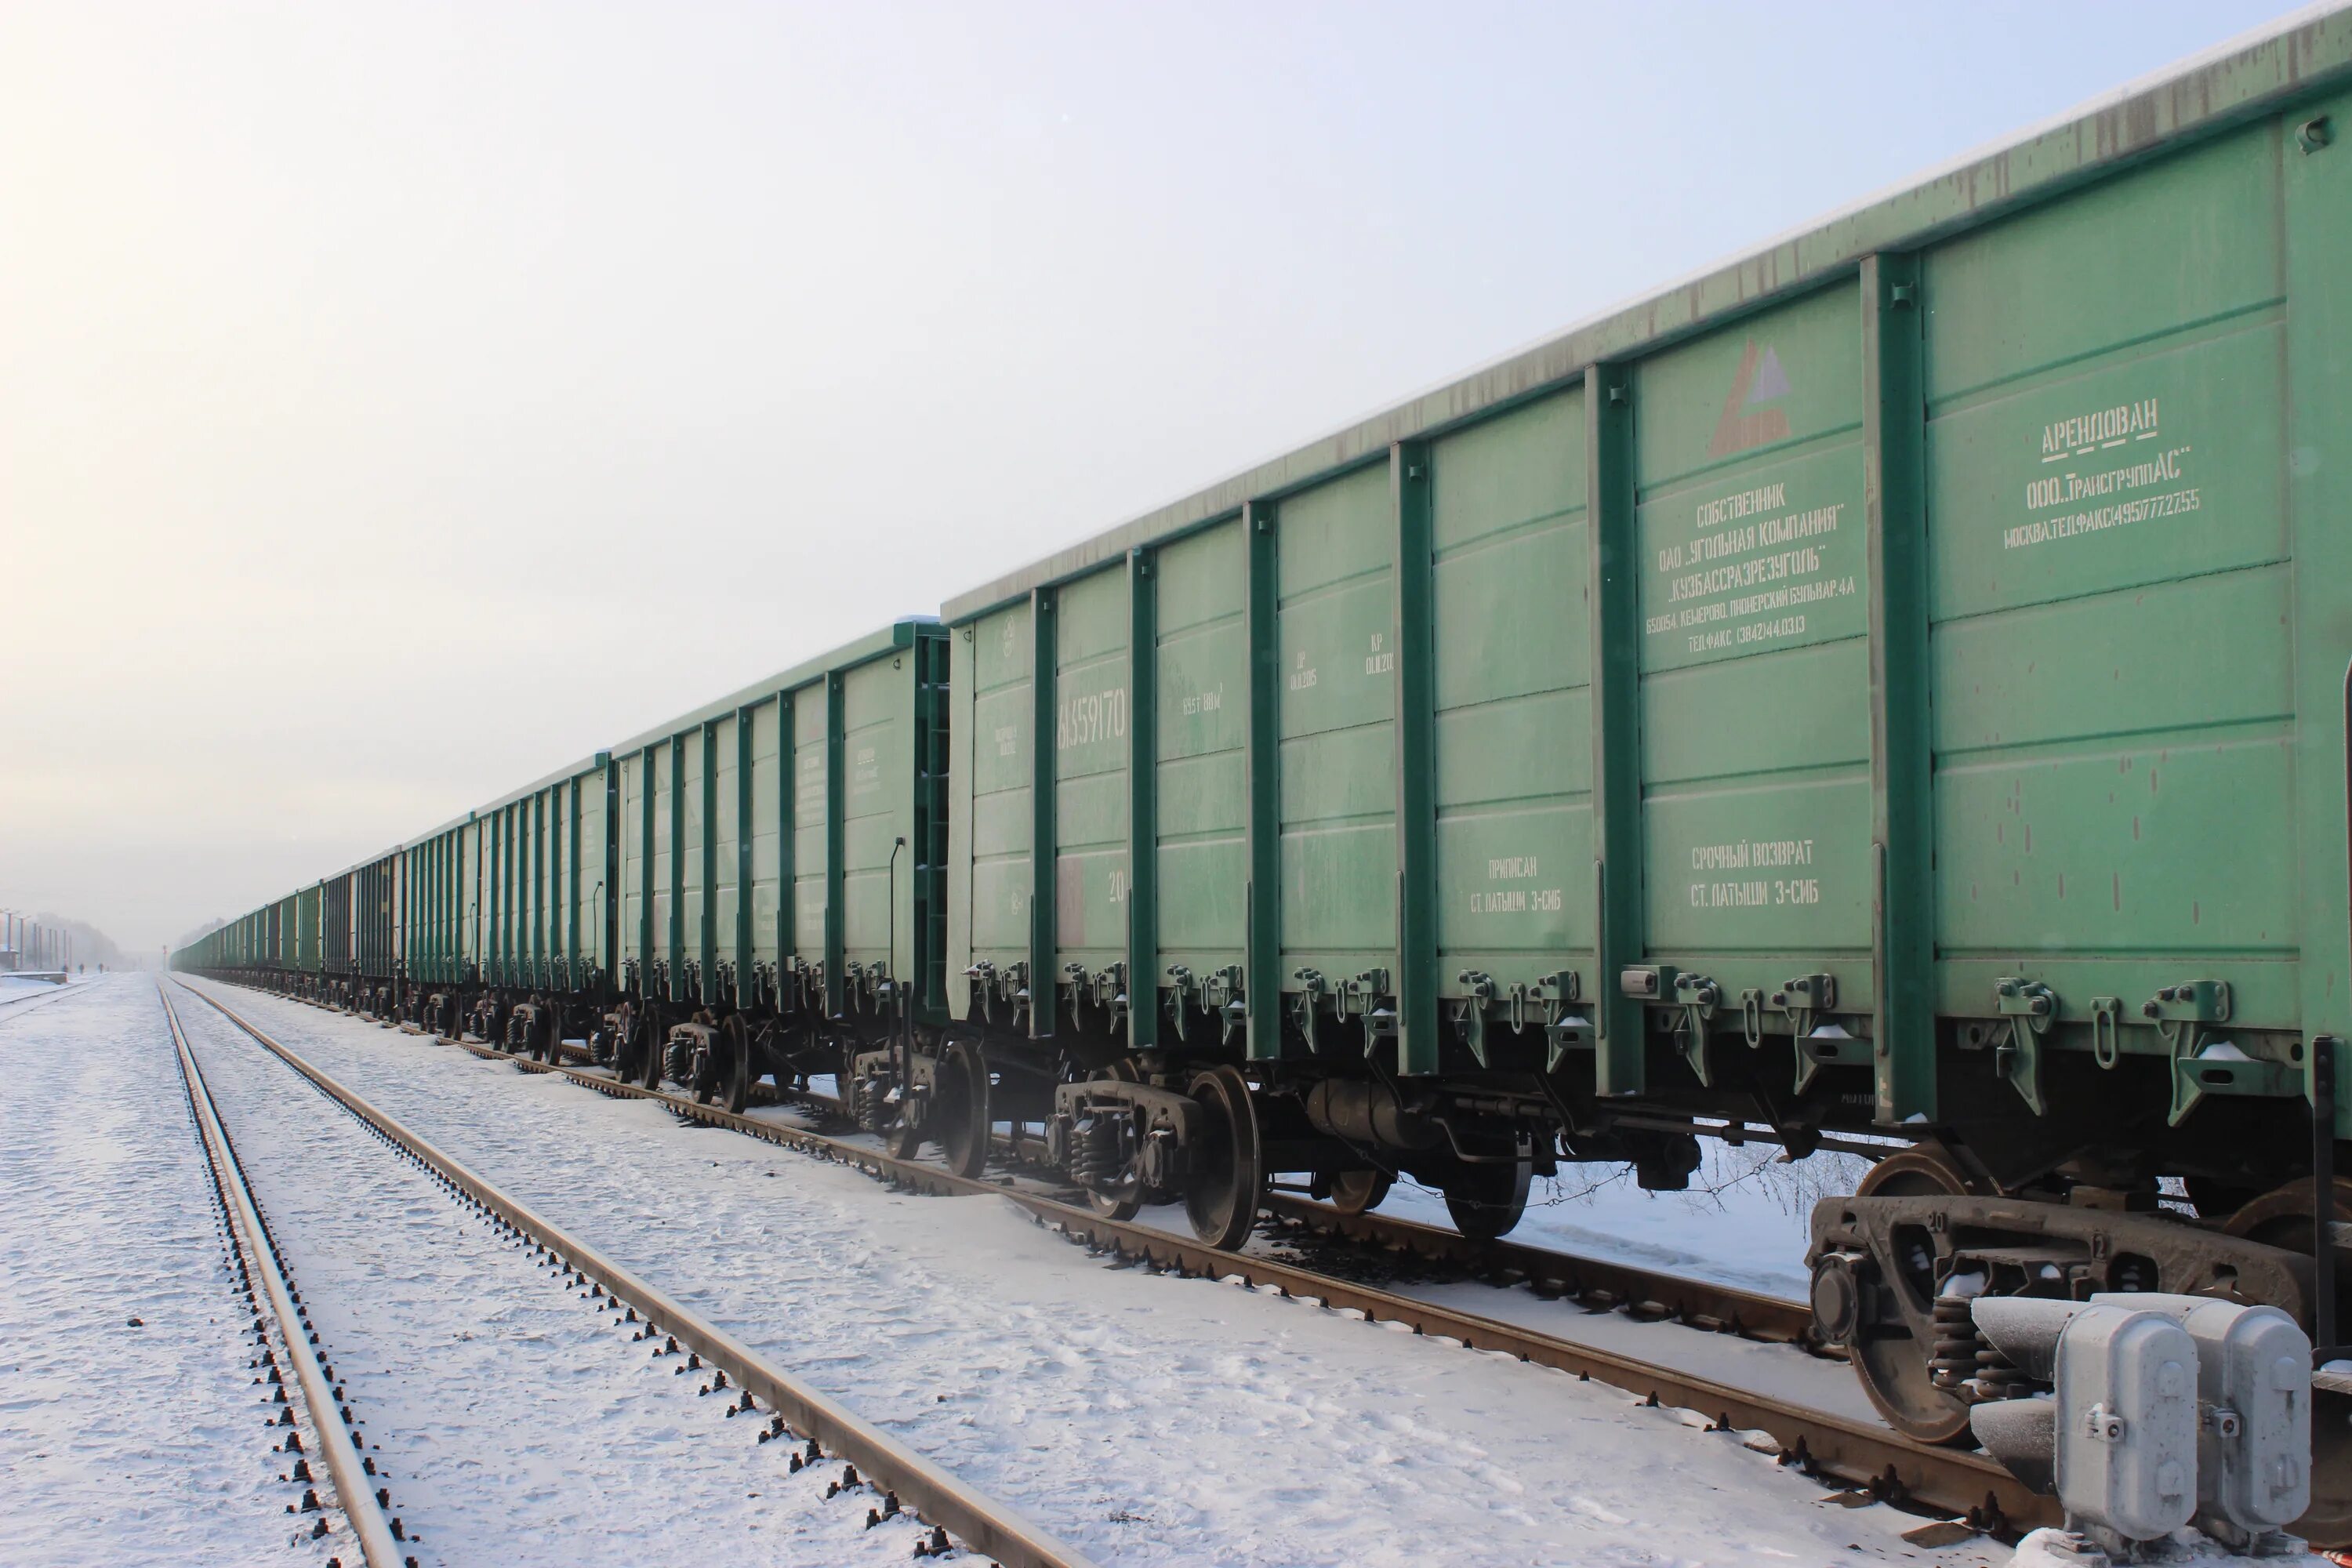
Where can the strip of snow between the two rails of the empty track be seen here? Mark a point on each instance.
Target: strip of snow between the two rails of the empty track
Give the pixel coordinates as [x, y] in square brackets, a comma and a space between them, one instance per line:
[512, 1419]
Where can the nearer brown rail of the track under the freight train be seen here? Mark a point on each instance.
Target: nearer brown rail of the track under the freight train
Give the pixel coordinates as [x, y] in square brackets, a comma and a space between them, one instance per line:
[1857, 1454]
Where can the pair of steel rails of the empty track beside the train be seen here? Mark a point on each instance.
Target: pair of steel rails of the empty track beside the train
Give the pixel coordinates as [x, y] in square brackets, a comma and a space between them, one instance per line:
[900, 1477]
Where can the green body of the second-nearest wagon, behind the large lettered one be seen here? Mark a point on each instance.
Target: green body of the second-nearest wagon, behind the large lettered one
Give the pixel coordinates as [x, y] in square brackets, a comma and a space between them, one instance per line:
[791, 829]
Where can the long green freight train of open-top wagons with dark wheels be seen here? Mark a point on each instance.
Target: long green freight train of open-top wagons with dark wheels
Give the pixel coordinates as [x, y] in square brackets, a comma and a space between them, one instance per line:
[1885, 692]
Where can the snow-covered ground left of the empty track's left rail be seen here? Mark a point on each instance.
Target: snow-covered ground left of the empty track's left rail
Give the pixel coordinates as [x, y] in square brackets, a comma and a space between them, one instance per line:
[119, 1445]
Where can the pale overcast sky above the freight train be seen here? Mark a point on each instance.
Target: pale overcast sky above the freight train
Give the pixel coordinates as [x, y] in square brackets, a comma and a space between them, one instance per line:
[403, 401]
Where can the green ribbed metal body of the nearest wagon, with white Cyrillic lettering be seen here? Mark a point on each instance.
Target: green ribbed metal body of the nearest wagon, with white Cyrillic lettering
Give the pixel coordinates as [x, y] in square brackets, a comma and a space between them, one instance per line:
[1911, 657]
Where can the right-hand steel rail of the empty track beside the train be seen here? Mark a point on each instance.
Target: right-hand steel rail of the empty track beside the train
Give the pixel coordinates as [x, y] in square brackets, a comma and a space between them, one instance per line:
[982, 1525]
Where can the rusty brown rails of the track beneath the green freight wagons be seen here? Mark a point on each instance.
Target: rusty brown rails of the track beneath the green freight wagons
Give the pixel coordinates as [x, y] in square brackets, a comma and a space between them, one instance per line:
[1852, 1454]
